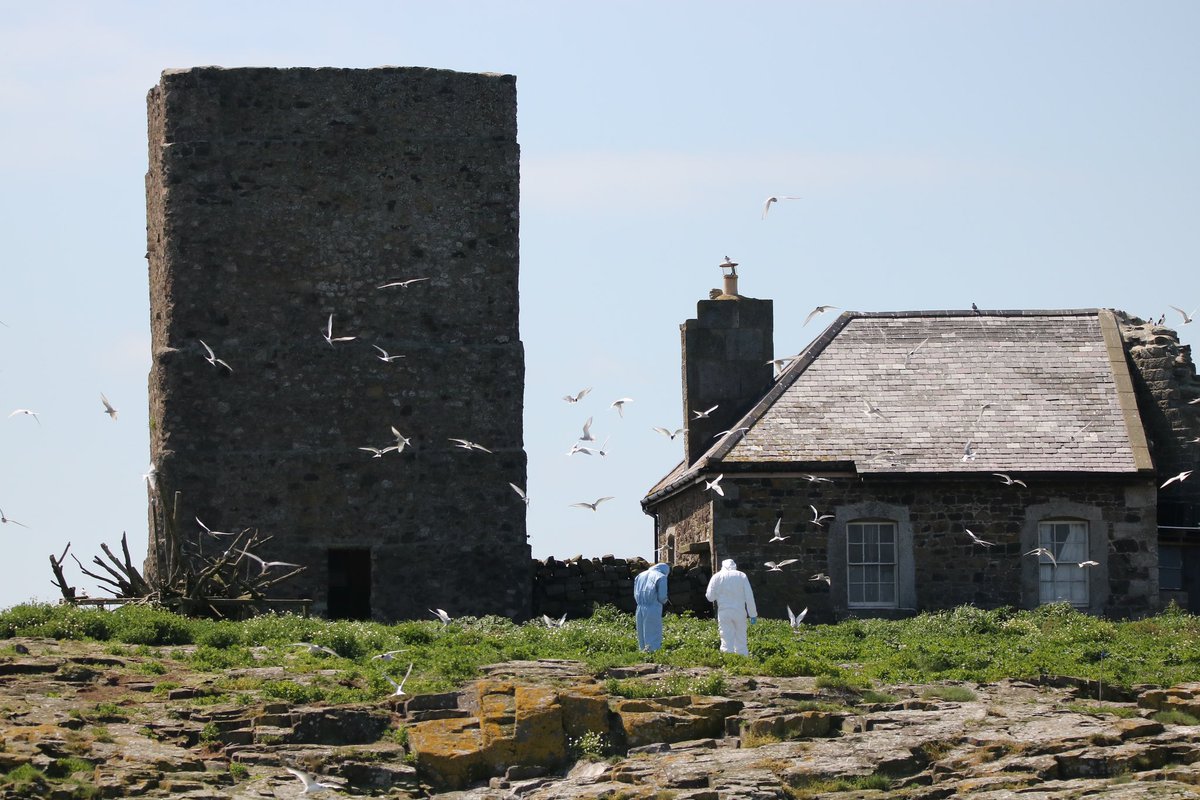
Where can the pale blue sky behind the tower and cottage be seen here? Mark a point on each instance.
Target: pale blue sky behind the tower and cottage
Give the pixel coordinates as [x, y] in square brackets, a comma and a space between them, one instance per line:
[1018, 154]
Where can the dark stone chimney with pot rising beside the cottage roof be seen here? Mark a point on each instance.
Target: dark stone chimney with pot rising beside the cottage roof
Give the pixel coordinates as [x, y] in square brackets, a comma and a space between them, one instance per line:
[727, 351]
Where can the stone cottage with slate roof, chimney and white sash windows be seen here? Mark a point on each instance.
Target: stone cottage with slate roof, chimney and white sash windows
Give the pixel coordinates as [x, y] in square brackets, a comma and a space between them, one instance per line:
[915, 461]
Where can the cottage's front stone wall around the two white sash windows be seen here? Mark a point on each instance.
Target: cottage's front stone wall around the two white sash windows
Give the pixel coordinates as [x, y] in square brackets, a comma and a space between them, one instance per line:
[946, 569]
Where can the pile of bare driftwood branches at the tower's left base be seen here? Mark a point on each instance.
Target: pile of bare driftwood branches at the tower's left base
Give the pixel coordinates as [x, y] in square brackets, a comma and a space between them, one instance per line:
[224, 579]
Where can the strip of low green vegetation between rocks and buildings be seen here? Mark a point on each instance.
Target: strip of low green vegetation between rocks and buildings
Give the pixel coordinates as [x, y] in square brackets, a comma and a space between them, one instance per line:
[965, 645]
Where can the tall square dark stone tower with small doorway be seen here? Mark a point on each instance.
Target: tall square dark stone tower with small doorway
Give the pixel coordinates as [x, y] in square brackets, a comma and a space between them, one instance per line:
[279, 200]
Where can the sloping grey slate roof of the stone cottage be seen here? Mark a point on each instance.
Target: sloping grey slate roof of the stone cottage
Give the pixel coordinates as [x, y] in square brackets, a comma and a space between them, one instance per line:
[1045, 392]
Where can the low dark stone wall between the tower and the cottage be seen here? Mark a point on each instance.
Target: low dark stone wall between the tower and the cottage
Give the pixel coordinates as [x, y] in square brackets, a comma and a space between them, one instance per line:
[574, 586]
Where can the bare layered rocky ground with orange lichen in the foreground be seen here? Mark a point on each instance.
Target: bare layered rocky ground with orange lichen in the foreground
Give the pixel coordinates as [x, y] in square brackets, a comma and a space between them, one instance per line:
[81, 721]
